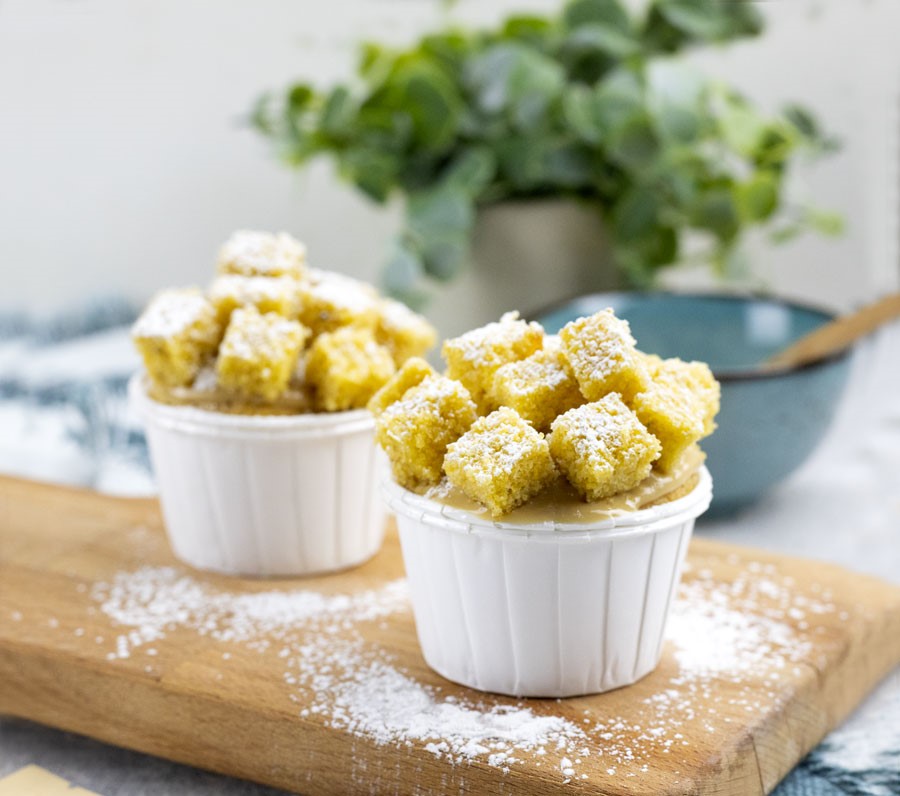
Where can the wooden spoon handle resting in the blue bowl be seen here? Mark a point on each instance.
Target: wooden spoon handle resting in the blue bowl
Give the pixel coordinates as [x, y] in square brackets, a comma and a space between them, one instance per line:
[837, 335]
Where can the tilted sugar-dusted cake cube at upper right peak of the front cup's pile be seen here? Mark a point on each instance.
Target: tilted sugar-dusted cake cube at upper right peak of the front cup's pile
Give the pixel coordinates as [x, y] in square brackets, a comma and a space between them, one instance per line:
[601, 354]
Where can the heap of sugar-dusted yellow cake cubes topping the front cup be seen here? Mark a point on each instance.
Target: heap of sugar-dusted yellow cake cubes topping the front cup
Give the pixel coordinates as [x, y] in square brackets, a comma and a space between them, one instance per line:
[517, 409]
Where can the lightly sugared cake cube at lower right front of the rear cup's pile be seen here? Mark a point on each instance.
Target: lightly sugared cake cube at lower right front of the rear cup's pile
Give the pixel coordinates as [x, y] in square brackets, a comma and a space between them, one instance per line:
[346, 367]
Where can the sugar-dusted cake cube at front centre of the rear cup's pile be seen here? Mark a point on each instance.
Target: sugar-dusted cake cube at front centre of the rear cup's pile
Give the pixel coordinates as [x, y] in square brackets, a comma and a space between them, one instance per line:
[258, 354]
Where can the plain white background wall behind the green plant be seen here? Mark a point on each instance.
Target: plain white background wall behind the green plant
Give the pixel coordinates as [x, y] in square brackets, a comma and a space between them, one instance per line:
[124, 160]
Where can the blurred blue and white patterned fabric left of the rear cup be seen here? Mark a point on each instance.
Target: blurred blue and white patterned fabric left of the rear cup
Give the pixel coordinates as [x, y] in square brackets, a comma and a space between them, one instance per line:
[63, 413]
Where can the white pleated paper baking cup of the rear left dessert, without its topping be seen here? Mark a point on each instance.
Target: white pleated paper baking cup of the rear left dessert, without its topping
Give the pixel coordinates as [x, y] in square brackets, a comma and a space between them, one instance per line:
[265, 495]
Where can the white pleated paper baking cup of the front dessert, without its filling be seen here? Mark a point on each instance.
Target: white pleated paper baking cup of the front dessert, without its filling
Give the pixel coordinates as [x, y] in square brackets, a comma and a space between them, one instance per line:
[551, 610]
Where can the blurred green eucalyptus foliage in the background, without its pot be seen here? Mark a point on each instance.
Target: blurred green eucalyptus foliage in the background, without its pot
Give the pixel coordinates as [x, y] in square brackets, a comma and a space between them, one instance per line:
[591, 103]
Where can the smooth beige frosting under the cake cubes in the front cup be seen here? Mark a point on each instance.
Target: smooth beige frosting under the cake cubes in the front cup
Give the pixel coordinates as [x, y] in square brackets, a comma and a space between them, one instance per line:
[560, 502]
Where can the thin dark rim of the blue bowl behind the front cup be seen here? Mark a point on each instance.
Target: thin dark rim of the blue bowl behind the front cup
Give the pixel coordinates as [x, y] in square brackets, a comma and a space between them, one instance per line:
[756, 373]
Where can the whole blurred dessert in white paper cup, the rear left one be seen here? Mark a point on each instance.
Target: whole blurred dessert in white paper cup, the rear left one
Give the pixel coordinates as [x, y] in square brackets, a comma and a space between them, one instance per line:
[253, 398]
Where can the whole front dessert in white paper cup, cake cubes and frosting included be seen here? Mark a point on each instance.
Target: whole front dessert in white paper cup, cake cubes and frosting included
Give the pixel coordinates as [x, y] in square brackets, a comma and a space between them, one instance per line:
[545, 490]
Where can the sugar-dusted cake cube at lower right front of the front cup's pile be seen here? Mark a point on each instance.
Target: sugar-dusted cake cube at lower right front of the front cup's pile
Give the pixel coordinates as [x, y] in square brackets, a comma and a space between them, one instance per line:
[602, 448]
